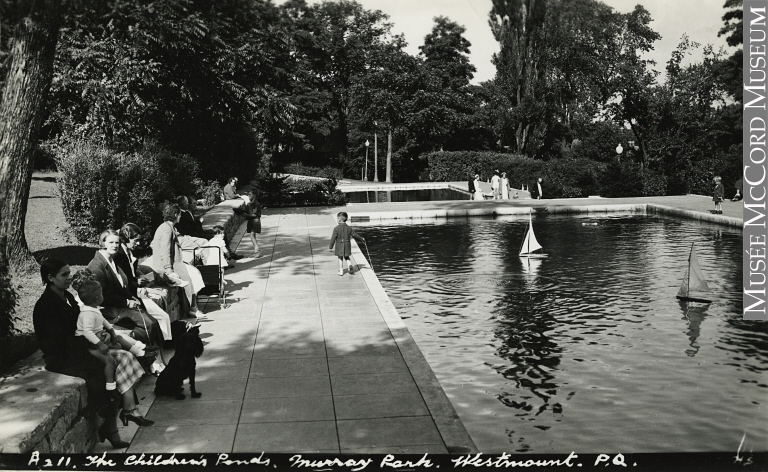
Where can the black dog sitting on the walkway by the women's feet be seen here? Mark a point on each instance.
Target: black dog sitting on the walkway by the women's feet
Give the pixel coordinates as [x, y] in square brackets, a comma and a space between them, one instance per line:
[181, 366]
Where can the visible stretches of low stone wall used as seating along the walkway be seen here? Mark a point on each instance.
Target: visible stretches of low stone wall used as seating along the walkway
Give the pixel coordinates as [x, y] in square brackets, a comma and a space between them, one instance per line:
[45, 411]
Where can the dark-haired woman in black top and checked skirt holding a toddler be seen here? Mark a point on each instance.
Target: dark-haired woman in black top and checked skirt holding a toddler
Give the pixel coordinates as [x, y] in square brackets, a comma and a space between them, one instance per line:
[55, 321]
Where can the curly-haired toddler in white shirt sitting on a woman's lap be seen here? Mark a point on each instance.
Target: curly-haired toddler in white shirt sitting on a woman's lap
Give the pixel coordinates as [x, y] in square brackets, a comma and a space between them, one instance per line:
[96, 333]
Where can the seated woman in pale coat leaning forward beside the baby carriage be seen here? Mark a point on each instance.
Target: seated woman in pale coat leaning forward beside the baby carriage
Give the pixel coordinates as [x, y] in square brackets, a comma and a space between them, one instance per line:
[166, 259]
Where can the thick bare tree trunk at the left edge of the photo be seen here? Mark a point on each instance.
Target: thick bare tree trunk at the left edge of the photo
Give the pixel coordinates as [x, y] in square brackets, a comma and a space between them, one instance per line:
[21, 114]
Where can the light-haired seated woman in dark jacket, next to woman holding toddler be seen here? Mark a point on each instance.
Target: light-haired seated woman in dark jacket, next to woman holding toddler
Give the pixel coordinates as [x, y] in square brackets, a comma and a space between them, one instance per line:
[120, 307]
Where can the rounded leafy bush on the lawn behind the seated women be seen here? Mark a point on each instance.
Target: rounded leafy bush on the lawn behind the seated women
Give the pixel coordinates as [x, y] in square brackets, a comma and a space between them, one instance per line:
[102, 188]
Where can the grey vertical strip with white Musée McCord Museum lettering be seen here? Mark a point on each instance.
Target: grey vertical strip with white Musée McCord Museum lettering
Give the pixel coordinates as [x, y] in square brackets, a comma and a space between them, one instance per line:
[755, 189]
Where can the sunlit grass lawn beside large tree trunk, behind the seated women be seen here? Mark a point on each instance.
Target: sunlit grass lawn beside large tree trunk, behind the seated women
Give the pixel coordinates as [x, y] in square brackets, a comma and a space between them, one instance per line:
[47, 236]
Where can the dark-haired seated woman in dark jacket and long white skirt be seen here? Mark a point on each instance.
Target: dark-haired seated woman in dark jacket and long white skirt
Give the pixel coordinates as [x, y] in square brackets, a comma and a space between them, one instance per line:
[130, 239]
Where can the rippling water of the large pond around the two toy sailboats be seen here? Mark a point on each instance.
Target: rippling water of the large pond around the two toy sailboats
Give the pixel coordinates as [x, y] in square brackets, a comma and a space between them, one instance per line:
[587, 350]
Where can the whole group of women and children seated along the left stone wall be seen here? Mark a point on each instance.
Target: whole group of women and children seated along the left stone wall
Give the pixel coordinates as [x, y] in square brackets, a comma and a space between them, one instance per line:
[77, 334]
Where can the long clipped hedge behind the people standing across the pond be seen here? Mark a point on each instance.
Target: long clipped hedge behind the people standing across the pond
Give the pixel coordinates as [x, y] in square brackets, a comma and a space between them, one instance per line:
[562, 178]
